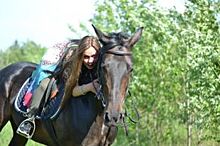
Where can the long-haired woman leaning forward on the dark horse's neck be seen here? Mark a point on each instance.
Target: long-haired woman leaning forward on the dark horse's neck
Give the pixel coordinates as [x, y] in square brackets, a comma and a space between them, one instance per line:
[79, 73]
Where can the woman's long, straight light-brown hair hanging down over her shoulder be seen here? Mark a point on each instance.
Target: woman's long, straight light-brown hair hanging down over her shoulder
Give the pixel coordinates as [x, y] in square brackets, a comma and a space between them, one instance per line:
[74, 64]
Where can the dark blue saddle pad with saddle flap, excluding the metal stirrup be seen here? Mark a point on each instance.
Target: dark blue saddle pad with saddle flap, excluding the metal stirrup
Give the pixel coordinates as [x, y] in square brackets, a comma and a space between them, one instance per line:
[48, 92]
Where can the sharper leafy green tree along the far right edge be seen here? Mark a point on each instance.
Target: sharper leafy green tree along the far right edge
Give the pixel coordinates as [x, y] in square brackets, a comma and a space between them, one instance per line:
[203, 69]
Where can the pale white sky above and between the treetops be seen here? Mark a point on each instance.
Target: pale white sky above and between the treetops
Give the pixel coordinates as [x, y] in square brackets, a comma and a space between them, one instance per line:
[46, 21]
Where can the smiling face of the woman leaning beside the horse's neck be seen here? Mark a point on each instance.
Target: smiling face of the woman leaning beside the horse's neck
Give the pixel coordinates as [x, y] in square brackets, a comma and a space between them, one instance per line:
[90, 57]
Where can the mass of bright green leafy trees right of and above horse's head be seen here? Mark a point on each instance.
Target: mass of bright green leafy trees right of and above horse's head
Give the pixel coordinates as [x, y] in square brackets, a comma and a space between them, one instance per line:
[176, 76]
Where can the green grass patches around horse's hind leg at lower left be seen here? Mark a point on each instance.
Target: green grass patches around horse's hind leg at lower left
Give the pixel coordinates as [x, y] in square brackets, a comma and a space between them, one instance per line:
[6, 135]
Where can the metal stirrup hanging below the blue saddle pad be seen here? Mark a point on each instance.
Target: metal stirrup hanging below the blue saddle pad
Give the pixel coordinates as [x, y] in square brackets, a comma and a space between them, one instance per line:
[27, 128]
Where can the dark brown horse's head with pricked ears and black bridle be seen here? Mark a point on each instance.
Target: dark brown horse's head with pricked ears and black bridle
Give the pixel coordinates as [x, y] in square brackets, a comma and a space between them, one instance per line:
[115, 67]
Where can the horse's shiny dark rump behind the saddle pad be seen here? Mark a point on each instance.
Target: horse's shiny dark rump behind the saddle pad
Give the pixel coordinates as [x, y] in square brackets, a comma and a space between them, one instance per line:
[11, 79]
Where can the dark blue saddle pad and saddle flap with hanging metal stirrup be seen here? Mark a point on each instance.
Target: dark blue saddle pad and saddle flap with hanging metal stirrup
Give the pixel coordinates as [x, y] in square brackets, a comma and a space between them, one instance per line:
[47, 106]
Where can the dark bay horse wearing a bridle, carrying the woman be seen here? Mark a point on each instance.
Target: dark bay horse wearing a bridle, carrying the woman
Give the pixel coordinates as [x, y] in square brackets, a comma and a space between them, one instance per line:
[82, 121]
